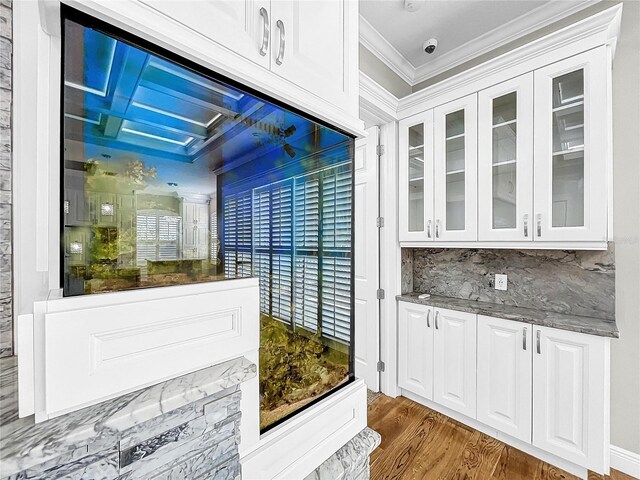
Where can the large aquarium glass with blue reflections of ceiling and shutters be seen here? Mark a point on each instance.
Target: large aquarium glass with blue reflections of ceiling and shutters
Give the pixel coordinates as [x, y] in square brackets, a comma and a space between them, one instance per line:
[173, 177]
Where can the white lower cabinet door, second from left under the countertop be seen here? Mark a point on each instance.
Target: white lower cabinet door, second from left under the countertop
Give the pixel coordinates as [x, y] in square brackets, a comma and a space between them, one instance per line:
[454, 361]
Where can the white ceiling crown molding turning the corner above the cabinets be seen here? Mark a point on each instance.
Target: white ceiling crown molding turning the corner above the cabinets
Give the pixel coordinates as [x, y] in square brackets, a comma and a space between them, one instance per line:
[538, 18]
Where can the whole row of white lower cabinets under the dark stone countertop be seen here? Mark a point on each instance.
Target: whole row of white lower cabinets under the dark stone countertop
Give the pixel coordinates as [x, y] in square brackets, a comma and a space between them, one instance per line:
[545, 387]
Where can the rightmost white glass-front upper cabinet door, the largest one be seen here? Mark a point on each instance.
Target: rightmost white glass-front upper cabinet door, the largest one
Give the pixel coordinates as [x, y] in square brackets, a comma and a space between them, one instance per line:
[570, 153]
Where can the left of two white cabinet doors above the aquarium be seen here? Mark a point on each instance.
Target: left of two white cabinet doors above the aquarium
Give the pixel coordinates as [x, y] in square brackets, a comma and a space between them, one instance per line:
[242, 26]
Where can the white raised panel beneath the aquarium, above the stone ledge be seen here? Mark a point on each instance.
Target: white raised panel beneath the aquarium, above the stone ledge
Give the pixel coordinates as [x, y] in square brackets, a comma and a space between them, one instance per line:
[102, 346]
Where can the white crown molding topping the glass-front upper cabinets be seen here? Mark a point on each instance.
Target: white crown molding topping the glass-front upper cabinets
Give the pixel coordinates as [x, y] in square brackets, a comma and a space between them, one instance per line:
[599, 29]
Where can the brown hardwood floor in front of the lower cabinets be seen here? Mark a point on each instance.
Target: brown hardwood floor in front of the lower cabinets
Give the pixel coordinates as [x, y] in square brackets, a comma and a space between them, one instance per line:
[422, 444]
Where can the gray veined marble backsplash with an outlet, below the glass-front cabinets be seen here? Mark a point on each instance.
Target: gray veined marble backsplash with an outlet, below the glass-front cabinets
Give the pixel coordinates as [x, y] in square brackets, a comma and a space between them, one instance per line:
[572, 282]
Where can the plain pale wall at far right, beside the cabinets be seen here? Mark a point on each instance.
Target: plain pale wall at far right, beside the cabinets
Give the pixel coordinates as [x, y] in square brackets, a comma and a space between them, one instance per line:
[625, 352]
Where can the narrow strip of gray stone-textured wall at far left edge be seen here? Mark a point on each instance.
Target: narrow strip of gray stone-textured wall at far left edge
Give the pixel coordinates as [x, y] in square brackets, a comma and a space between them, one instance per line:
[6, 324]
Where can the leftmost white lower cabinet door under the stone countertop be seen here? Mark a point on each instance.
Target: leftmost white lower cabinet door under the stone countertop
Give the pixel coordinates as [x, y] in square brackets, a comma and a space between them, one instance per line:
[415, 348]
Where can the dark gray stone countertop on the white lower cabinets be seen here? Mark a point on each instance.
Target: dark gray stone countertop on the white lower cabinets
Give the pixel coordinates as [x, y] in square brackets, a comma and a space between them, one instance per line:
[603, 327]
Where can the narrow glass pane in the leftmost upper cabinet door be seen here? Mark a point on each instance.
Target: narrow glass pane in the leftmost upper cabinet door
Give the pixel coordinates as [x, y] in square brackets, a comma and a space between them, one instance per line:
[416, 178]
